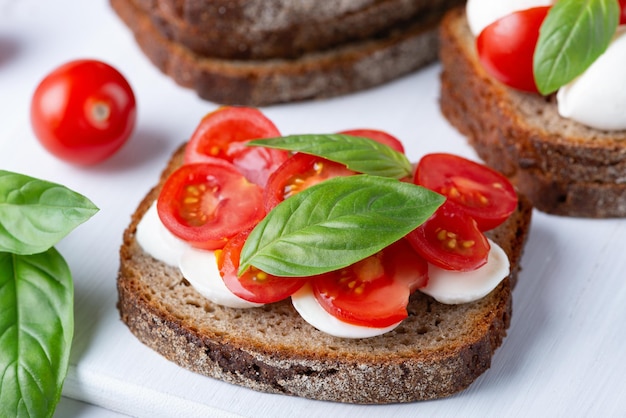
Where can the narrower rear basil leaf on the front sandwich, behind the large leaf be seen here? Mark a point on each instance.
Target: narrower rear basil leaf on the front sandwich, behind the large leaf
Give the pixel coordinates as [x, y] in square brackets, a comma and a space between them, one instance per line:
[360, 154]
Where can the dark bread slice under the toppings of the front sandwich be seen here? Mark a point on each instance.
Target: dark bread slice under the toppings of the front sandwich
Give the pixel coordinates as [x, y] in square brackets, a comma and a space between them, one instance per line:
[437, 351]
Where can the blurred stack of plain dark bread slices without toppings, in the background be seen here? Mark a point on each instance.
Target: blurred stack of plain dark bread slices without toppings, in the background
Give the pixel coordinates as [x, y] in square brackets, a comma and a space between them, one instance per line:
[261, 53]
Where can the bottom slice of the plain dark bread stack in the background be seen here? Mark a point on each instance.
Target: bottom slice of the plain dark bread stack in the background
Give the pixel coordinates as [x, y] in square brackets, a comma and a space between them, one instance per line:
[339, 71]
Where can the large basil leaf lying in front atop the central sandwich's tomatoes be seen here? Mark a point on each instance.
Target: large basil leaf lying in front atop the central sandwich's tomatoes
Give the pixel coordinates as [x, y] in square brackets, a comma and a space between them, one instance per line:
[336, 223]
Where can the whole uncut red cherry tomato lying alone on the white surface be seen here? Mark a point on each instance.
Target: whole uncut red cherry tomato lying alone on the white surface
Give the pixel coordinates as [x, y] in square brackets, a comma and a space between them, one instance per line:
[83, 111]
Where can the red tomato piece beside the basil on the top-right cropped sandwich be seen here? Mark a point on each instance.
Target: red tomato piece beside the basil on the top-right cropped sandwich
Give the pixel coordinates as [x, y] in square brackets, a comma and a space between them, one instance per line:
[506, 47]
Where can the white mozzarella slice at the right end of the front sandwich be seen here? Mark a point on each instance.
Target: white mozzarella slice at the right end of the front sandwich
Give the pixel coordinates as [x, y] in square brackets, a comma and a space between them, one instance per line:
[454, 287]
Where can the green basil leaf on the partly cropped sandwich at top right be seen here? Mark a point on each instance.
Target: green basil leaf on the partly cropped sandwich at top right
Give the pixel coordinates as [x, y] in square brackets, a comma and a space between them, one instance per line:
[574, 34]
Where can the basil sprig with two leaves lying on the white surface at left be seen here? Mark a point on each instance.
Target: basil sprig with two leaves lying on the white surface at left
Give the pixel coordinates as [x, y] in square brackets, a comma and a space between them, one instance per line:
[36, 292]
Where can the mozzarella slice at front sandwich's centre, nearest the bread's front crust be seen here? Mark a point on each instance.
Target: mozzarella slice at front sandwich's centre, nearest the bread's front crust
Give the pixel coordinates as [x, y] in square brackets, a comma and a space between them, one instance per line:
[312, 312]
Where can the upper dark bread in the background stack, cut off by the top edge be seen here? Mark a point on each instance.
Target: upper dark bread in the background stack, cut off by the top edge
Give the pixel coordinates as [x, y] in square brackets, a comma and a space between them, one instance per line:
[284, 29]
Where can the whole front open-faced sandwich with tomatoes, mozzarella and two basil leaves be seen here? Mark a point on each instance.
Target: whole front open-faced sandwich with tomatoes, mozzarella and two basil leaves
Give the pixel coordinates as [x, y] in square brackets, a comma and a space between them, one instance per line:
[323, 266]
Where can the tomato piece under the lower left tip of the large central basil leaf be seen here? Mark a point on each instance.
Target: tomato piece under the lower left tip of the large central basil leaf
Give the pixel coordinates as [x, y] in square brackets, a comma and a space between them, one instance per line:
[253, 285]
